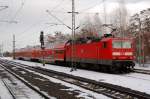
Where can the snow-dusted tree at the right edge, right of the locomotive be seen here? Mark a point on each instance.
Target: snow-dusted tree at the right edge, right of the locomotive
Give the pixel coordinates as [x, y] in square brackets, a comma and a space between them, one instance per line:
[140, 29]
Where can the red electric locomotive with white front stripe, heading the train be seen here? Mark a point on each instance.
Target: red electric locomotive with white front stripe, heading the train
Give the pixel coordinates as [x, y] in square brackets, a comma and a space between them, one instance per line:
[108, 53]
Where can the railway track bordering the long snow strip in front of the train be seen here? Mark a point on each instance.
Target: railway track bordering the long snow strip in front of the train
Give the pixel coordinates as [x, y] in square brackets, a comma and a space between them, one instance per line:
[109, 90]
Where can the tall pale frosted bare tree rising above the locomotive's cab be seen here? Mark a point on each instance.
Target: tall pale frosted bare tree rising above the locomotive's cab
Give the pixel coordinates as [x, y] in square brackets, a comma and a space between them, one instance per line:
[119, 19]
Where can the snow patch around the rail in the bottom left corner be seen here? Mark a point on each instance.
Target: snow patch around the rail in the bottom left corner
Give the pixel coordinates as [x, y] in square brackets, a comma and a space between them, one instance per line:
[20, 90]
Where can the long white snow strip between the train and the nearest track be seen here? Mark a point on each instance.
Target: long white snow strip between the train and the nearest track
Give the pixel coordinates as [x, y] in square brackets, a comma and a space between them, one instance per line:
[140, 82]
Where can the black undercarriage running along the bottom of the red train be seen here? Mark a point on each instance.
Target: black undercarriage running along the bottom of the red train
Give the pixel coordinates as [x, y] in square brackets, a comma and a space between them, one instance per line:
[117, 66]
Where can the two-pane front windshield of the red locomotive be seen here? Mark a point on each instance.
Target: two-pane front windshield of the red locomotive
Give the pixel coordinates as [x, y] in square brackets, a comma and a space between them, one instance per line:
[121, 44]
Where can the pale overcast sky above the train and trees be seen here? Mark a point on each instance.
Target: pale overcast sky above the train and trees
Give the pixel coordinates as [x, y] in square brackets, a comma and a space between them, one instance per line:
[31, 17]
